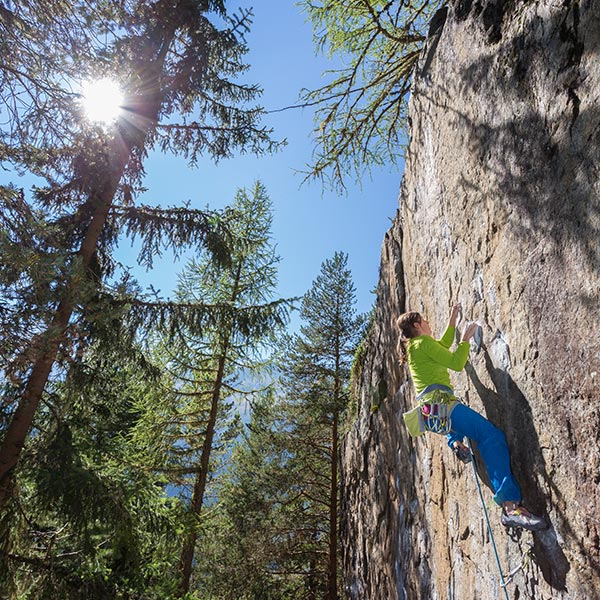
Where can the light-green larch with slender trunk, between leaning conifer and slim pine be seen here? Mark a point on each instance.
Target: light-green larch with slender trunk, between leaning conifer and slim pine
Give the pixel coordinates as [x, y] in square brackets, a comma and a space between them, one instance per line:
[216, 364]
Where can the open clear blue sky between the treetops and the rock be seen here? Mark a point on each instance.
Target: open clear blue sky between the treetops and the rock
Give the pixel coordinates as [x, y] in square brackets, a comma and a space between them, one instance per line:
[309, 224]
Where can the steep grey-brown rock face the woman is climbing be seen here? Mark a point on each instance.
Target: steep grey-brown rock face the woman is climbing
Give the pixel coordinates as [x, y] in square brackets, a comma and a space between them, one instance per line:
[500, 210]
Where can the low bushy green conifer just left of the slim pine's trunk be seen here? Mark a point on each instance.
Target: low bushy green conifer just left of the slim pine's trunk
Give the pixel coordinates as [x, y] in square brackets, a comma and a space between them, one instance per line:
[249, 549]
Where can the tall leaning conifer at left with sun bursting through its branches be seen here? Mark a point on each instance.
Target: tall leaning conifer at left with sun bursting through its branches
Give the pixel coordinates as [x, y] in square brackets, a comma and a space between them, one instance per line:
[174, 58]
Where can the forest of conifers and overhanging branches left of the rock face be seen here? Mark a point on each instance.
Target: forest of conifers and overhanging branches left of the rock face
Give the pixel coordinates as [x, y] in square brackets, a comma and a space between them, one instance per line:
[181, 447]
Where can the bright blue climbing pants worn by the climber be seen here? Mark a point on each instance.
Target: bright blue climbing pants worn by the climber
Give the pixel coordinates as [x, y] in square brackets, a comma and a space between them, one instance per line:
[492, 447]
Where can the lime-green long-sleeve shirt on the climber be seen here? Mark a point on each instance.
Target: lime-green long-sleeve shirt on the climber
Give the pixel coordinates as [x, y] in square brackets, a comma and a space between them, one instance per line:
[429, 359]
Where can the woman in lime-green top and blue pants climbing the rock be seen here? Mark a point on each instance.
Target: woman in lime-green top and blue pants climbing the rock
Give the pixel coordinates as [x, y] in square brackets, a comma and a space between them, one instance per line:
[440, 411]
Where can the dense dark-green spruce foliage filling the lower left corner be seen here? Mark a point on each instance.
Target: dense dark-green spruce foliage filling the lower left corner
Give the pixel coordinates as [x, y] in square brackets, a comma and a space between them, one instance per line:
[86, 521]
